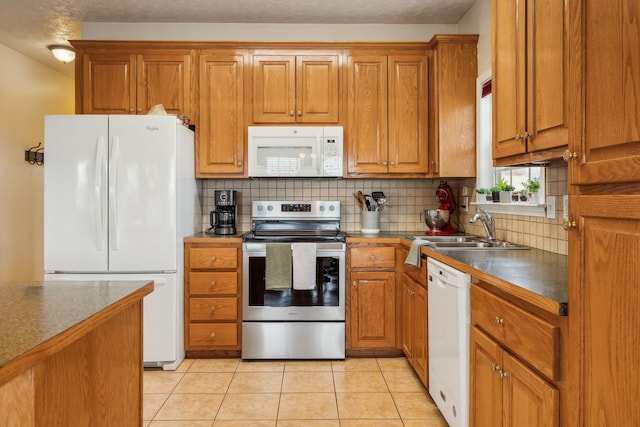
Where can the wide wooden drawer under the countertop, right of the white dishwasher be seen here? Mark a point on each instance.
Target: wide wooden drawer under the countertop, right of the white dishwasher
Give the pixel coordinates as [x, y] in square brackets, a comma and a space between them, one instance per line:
[531, 338]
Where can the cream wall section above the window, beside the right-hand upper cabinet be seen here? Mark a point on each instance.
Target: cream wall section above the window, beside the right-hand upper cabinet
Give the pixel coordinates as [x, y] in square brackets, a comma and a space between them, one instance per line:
[478, 21]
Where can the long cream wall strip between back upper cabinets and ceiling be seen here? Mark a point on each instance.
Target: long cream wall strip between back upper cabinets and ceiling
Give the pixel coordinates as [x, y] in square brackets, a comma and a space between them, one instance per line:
[263, 32]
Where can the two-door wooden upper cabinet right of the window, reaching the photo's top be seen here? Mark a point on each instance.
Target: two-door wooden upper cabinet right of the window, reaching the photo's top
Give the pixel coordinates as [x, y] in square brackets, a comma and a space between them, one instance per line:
[530, 82]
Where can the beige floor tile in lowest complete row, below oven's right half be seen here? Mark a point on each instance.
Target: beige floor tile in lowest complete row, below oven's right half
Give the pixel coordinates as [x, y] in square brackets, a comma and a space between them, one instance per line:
[308, 406]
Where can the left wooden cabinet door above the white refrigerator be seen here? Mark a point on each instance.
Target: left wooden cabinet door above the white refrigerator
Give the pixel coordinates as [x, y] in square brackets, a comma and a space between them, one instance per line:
[108, 84]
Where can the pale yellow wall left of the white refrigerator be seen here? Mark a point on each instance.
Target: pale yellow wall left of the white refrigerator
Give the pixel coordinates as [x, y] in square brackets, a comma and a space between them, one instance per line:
[29, 91]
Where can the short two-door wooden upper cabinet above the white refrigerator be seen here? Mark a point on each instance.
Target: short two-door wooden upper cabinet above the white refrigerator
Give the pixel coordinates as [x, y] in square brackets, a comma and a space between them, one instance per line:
[133, 82]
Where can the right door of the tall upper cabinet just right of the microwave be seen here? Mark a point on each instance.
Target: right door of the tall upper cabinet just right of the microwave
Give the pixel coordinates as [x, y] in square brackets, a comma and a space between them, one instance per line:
[407, 104]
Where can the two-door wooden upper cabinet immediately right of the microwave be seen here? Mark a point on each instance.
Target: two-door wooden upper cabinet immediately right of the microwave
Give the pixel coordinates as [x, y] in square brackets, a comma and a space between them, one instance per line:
[386, 113]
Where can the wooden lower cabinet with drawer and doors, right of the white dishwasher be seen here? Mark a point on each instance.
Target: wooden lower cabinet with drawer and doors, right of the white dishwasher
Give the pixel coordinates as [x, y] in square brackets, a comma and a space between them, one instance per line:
[508, 387]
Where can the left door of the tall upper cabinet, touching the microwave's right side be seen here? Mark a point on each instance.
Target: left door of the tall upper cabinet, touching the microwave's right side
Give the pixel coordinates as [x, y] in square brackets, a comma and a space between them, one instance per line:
[367, 143]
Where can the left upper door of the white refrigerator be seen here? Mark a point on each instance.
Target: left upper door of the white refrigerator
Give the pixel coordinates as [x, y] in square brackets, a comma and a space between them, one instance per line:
[75, 193]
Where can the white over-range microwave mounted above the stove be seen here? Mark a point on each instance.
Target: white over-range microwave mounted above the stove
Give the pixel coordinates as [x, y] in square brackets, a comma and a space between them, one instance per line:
[295, 151]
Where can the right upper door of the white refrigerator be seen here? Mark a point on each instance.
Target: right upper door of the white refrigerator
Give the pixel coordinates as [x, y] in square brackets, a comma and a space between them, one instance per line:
[142, 193]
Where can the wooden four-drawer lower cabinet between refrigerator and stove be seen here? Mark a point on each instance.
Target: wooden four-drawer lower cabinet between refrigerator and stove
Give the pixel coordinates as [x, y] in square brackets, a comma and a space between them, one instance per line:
[212, 298]
